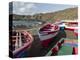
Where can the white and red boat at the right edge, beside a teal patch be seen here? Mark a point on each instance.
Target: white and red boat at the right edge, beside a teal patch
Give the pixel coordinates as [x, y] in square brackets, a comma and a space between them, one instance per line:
[71, 25]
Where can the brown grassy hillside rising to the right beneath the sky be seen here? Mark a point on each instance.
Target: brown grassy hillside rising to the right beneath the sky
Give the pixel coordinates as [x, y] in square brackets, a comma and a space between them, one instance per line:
[69, 14]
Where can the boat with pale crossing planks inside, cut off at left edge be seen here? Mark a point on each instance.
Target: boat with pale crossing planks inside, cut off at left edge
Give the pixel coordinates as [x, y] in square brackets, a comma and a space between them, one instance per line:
[20, 41]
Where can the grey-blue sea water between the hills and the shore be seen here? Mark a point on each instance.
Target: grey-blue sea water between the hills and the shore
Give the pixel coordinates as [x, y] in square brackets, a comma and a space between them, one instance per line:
[27, 24]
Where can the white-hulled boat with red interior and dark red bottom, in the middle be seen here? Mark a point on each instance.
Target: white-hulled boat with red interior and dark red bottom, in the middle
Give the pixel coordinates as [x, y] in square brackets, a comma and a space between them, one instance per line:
[47, 33]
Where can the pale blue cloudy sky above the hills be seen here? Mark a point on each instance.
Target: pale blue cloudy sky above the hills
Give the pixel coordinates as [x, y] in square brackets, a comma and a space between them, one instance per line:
[27, 8]
